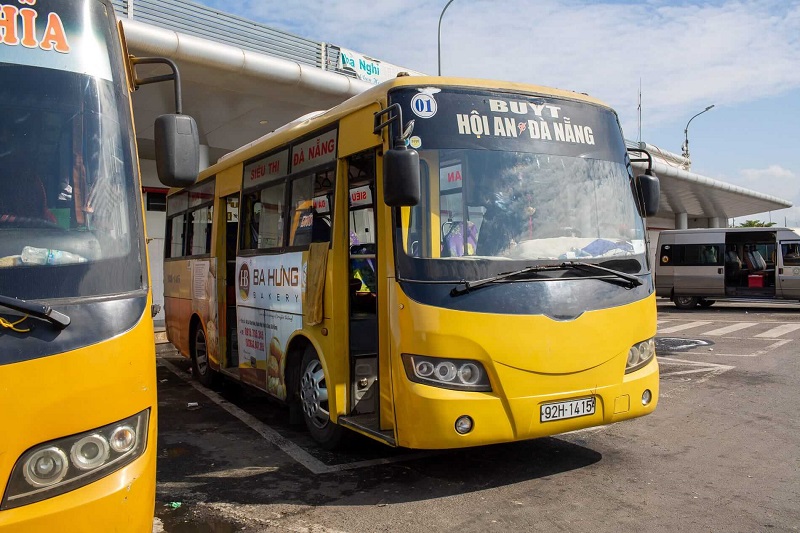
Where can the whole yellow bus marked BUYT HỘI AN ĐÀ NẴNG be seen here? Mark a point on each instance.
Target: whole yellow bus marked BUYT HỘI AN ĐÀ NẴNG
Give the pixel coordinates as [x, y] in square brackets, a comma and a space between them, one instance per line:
[434, 263]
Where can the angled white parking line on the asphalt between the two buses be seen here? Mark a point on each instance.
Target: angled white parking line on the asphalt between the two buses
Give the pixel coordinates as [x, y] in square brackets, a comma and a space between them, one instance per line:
[273, 437]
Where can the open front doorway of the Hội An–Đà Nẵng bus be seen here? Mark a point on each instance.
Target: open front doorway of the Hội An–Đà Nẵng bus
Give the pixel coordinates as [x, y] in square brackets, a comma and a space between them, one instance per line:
[363, 295]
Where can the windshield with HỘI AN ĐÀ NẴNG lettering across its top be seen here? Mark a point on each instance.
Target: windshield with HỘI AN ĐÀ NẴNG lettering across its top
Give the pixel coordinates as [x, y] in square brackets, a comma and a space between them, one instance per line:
[512, 188]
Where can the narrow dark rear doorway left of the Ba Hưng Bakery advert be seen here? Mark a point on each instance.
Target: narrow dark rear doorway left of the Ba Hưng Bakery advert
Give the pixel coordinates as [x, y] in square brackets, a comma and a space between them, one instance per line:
[230, 338]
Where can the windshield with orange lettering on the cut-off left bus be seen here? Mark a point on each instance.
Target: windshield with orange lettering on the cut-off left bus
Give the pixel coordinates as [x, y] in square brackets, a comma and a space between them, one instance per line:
[70, 221]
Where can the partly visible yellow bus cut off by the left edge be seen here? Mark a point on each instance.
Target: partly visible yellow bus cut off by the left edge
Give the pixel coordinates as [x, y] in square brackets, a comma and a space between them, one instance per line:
[77, 351]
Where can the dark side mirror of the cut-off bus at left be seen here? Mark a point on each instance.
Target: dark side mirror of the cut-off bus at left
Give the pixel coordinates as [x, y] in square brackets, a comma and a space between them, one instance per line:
[177, 150]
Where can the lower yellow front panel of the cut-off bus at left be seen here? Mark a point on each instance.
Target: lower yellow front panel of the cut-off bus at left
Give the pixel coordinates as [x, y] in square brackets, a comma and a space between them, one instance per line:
[64, 394]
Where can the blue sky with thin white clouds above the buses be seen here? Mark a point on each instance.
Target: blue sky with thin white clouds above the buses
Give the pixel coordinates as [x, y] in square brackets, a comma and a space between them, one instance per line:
[742, 56]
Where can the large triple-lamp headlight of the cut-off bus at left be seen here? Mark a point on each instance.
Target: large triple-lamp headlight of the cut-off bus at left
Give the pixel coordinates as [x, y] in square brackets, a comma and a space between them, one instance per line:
[62, 465]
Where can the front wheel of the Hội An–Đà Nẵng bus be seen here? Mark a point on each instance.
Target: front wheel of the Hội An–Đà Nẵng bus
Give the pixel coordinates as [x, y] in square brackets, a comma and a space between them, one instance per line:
[314, 401]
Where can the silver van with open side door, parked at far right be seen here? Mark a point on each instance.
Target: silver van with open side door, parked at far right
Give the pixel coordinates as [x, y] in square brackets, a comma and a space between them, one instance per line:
[700, 266]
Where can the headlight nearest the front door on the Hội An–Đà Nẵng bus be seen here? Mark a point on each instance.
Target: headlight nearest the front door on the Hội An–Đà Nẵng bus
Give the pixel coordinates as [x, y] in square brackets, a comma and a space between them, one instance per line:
[456, 374]
